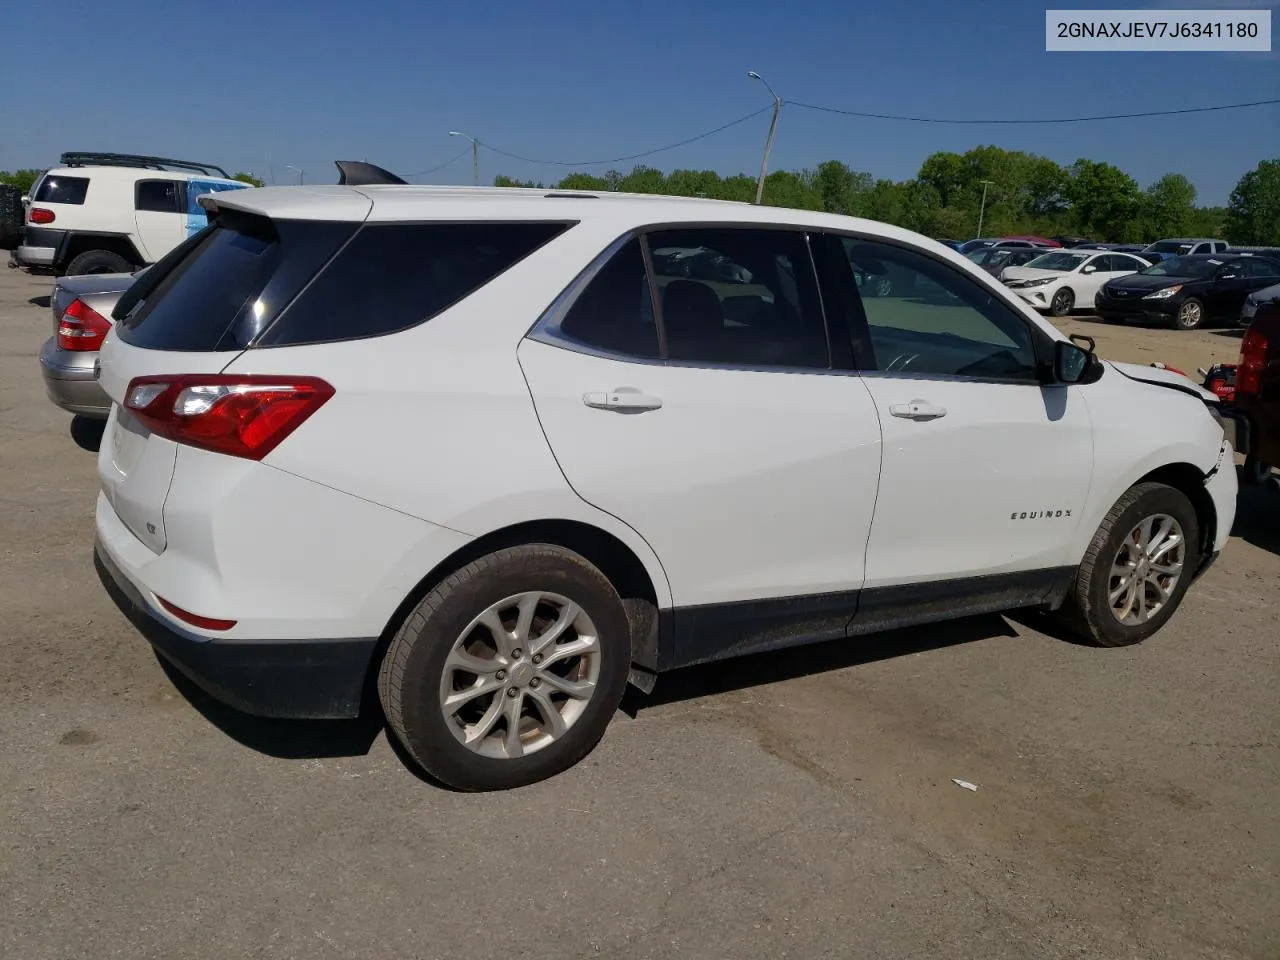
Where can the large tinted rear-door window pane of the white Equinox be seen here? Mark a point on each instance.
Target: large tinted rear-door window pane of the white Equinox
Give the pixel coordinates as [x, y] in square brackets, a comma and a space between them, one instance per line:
[742, 296]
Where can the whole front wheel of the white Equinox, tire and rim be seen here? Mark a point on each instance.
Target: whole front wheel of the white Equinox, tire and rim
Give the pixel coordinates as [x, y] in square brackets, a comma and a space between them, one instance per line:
[1137, 569]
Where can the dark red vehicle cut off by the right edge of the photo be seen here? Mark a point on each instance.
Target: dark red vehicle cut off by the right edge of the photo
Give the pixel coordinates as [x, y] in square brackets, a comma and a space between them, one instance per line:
[1256, 408]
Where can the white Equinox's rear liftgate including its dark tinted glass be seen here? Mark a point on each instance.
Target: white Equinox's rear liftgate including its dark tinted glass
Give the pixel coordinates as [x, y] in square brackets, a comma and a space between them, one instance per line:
[199, 309]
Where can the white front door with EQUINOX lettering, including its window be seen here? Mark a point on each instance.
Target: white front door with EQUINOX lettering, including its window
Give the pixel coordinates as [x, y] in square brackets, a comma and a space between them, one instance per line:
[986, 470]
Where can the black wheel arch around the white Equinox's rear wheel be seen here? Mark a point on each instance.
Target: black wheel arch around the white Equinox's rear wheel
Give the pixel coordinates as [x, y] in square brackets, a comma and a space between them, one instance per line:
[612, 557]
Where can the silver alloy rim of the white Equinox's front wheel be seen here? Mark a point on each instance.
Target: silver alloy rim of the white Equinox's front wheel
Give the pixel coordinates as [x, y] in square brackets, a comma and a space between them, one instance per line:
[1146, 570]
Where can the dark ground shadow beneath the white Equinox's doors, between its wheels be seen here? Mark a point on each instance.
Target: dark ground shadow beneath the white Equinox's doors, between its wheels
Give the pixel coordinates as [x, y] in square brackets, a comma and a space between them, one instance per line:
[757, 670]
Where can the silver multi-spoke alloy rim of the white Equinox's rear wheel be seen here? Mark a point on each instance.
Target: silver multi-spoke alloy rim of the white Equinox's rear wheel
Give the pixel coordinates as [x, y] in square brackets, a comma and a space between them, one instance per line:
[520, 675]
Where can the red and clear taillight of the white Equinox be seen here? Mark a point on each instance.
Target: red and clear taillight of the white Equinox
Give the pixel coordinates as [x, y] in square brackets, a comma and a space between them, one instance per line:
[243, 417]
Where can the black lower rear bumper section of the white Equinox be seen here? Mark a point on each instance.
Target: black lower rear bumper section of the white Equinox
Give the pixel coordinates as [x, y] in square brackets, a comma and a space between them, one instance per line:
[299, 679]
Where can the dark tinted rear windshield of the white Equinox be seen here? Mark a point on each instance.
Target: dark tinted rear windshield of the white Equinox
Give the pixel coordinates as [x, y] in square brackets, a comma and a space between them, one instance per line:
[232, 282]
